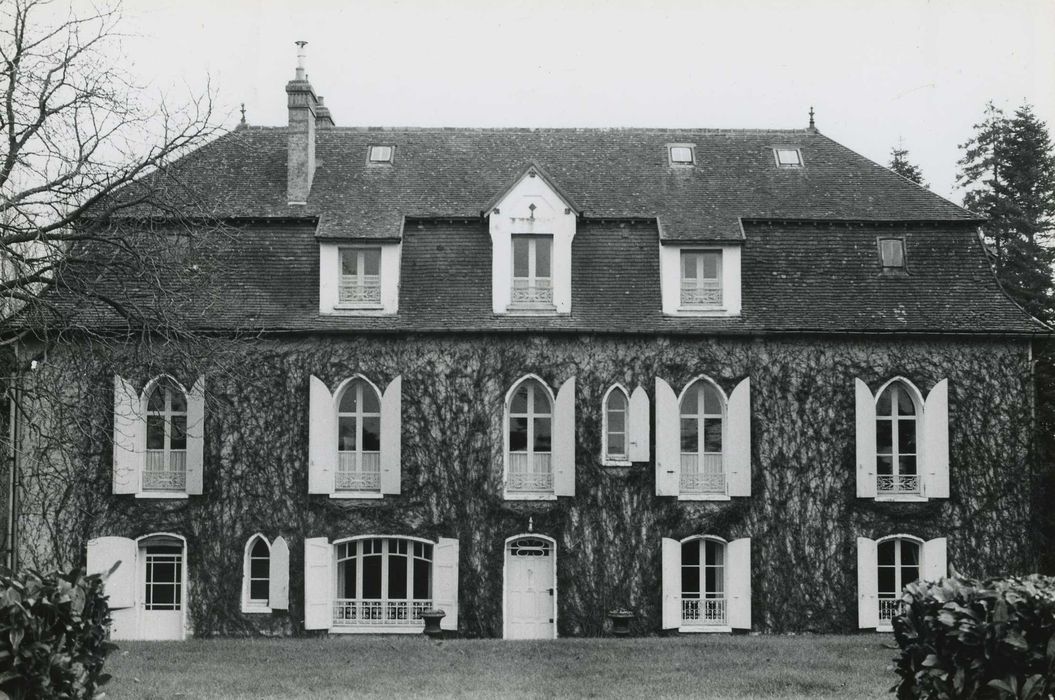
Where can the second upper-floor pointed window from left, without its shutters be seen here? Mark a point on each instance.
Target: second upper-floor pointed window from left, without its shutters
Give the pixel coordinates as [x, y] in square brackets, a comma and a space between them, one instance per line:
[359, 438]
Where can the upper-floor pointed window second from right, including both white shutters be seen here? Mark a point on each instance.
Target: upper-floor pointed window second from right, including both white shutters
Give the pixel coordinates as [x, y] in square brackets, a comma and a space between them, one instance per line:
[704, 441]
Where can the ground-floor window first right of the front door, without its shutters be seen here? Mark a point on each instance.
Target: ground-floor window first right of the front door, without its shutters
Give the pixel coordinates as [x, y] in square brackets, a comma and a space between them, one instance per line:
[704, 582]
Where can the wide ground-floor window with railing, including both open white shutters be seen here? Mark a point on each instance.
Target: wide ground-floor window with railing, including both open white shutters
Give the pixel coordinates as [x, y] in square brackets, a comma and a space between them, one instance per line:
[379, 585]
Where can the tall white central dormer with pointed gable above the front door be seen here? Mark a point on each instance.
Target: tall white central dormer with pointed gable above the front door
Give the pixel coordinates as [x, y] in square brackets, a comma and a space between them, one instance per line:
[532, 228]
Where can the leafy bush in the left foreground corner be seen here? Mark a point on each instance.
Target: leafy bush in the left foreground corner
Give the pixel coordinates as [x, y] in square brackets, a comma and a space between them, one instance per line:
[53, 635]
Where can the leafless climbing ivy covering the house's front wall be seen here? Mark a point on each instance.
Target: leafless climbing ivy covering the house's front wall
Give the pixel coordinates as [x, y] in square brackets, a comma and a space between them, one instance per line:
[803, 517]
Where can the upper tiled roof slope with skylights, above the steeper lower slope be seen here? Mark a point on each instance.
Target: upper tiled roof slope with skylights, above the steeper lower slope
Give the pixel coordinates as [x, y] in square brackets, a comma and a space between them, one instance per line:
[606, 172]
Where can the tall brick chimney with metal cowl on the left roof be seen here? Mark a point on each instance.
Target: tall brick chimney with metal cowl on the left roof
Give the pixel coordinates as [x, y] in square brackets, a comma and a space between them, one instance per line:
[301, 152]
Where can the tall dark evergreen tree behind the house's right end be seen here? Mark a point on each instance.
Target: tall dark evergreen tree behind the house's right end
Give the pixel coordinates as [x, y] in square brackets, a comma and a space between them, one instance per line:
[1009, 170]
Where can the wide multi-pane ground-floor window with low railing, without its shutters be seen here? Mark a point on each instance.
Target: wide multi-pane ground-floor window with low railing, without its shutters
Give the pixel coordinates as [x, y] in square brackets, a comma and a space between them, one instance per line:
[382, 581]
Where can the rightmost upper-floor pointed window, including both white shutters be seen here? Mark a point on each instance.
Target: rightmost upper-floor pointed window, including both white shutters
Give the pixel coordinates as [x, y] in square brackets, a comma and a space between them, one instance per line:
[903, 441]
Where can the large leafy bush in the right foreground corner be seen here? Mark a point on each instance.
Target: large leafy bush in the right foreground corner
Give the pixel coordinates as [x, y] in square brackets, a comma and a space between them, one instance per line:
[963, 638]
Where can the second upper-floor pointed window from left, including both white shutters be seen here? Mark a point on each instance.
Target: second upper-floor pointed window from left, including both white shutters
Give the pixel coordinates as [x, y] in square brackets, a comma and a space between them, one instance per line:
[355, 439]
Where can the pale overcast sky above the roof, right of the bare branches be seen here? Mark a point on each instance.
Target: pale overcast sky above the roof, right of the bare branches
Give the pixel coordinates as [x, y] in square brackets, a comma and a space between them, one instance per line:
[878, 73]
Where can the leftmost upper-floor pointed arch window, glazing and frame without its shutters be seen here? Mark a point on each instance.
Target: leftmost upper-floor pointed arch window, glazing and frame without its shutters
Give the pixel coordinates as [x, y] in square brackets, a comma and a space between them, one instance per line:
[166, 470]
